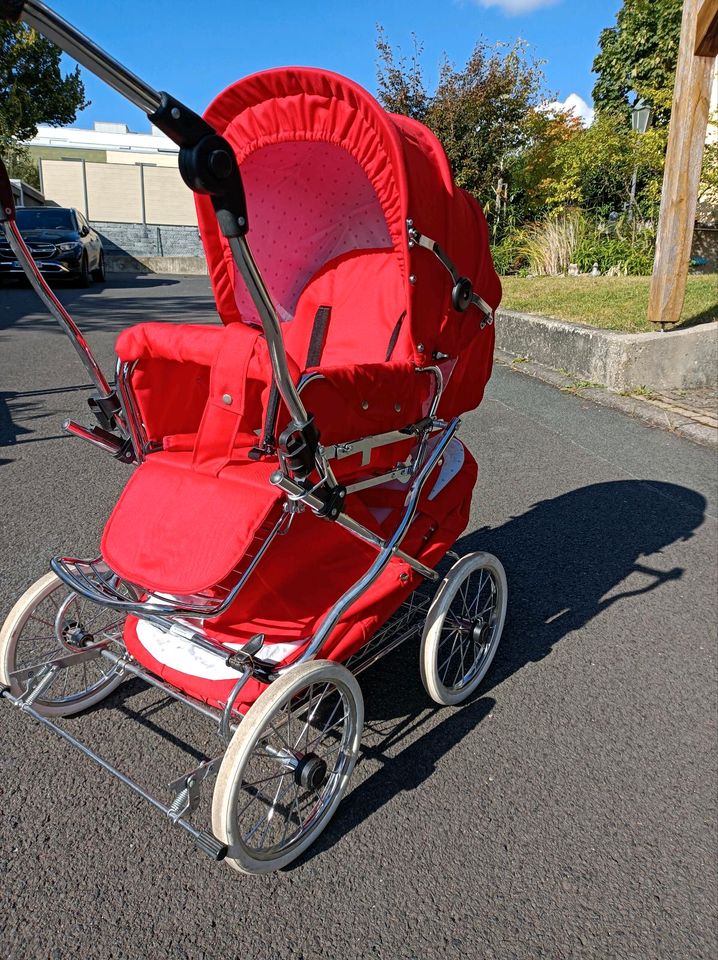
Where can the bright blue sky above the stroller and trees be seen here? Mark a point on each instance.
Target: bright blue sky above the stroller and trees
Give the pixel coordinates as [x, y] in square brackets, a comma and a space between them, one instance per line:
[194, 50]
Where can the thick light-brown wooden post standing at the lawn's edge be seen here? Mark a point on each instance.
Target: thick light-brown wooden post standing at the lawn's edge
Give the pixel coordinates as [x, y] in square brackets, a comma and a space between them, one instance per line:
[686, 140]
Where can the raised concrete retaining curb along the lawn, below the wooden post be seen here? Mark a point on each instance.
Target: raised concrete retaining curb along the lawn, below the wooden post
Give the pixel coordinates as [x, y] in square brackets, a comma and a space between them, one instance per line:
[680, 359]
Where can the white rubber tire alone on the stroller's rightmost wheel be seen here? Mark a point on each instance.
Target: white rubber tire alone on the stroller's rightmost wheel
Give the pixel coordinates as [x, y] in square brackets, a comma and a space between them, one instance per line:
[432, 634]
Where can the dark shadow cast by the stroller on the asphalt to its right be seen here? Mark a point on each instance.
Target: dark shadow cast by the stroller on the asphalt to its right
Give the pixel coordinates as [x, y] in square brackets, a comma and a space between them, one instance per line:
[566, 560]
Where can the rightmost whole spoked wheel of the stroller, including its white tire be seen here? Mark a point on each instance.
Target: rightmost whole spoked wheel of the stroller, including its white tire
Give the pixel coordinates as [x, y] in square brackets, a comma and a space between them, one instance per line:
[463, 628]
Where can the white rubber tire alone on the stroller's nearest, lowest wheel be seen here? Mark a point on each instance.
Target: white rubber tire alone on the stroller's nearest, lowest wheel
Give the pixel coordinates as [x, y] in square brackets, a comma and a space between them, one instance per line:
[230, 775]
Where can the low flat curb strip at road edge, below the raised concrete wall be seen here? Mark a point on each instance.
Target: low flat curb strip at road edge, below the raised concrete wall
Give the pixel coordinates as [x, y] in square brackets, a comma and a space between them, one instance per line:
[655, 413]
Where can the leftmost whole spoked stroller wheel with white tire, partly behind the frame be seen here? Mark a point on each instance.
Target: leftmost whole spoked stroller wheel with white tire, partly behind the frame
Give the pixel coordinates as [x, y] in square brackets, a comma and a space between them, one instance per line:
[49, 621]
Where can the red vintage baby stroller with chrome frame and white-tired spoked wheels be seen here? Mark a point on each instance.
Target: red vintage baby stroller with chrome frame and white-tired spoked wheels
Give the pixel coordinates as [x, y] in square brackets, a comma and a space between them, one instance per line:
[297, 473]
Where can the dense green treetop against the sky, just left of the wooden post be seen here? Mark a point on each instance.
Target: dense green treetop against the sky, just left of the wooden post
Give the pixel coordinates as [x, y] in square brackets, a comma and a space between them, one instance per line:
[638, 59]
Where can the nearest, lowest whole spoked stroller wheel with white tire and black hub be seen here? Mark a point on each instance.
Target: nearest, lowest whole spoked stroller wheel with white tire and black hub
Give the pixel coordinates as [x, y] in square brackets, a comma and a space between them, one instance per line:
[288, 766]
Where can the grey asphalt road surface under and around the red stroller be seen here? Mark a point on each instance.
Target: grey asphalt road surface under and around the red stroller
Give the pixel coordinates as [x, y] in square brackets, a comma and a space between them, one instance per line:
[567, 811]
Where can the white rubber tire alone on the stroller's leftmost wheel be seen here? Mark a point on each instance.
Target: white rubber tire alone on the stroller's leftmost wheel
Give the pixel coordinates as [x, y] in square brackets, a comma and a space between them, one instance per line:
[10, 633]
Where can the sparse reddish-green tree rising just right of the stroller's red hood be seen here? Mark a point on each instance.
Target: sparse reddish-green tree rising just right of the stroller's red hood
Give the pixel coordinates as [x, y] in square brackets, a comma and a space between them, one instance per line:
[478, 111]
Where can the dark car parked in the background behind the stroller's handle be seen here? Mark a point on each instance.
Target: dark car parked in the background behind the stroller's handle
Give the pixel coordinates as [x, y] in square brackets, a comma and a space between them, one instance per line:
[62, 243]
